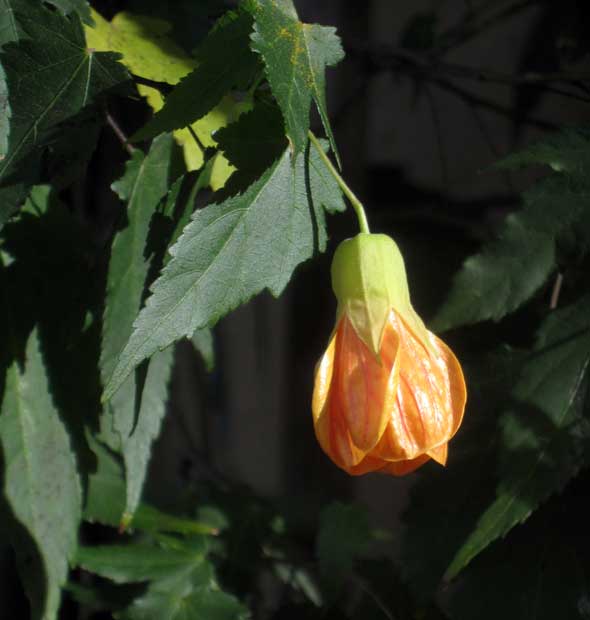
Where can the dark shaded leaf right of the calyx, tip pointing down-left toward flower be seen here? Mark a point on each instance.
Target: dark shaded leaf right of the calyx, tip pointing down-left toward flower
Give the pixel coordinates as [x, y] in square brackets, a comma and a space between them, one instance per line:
[511, 268]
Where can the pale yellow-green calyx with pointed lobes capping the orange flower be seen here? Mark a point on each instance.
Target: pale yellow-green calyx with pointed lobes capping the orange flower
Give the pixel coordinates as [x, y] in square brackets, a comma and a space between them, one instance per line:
[369, 280]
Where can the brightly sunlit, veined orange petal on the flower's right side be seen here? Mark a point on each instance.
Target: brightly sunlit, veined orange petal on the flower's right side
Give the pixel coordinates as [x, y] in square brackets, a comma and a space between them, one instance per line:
[430, 398]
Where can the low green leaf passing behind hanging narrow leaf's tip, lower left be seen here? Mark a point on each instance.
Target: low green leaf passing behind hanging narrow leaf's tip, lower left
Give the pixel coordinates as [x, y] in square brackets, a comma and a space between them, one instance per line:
[106, 496]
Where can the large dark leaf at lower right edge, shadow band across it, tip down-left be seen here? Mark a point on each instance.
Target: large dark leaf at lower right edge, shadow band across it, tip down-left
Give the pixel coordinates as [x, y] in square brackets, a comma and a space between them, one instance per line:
[545, 433]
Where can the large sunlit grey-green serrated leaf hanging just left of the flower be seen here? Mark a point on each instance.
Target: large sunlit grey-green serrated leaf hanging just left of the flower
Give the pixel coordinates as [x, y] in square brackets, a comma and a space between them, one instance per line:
[229, 253]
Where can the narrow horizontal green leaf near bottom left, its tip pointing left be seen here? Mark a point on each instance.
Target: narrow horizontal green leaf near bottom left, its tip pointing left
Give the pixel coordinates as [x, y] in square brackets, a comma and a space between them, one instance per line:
[138, 562]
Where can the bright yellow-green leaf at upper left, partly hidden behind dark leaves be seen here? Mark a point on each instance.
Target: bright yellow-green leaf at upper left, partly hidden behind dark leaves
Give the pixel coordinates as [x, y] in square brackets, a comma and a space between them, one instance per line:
[148, 51]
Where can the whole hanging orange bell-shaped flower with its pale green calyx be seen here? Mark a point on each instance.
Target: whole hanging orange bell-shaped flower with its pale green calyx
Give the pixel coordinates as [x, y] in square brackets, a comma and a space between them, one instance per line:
[388, 393]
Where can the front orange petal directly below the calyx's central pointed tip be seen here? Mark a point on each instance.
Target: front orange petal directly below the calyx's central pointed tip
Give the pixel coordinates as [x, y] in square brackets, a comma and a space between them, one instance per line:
[362, 388]
